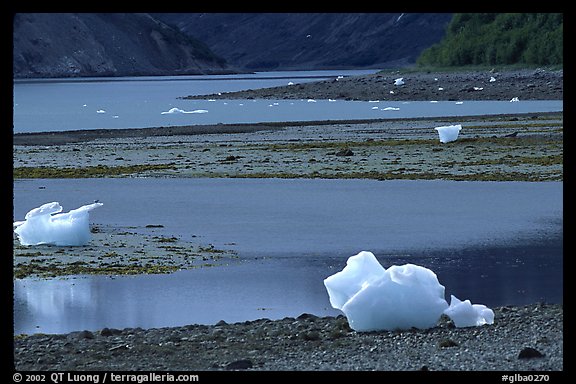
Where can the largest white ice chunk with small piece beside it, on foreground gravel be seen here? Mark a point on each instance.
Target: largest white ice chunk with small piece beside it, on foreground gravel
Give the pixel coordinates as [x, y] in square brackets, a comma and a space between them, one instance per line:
[400, 297]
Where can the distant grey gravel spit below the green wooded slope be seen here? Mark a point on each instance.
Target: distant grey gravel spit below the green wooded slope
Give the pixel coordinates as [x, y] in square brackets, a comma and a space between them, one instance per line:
[524, 84]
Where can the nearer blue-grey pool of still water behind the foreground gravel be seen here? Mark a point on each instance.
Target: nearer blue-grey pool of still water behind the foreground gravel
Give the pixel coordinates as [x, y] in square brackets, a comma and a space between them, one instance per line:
[488, 242]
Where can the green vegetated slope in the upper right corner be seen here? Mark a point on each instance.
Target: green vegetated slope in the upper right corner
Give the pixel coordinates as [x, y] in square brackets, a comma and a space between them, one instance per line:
[499, 39]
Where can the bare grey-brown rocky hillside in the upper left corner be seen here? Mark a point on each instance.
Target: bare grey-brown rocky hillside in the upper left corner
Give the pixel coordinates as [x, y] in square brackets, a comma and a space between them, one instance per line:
[110, 44]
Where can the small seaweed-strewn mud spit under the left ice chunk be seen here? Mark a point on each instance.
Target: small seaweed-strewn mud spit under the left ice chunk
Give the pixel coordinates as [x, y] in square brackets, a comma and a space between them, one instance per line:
[118, 251]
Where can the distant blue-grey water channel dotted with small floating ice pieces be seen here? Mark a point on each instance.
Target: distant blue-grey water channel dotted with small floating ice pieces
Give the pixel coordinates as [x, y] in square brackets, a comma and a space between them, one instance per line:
[138, 102]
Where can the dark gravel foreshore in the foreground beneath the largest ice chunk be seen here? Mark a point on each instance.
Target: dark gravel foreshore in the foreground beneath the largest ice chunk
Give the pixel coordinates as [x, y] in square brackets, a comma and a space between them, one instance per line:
[527, 338]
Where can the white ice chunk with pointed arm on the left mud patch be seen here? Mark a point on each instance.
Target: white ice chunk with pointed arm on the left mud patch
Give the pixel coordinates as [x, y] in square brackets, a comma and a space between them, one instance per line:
[46, 225]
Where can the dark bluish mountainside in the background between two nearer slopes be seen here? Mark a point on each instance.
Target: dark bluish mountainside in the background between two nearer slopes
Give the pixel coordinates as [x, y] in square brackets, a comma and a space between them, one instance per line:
[307, 41]
